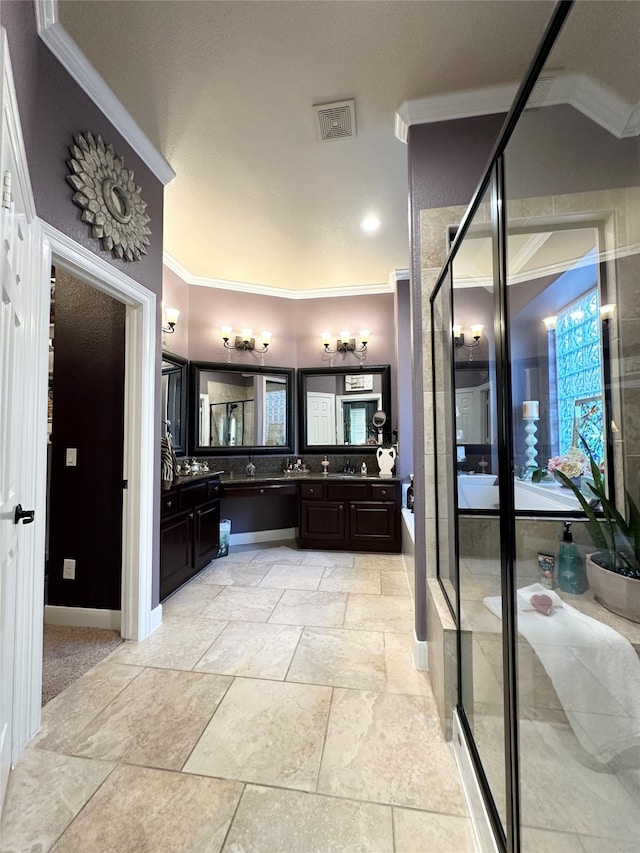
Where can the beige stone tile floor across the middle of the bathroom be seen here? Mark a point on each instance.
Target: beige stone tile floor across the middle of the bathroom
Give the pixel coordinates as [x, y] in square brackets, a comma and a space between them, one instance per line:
[276, 710]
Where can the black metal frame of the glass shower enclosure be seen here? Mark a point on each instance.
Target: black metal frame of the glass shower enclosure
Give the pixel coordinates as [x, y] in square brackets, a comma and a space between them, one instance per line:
[508, 841]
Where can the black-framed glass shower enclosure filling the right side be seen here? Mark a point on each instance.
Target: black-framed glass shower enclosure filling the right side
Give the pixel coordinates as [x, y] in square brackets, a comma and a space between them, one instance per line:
[535, 369]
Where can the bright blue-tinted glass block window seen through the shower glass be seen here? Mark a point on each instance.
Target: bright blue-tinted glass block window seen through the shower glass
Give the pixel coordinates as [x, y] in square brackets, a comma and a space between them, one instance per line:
[579, 374]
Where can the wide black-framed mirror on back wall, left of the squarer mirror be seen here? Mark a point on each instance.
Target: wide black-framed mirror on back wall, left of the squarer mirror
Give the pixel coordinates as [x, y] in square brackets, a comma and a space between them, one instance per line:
[240, 409]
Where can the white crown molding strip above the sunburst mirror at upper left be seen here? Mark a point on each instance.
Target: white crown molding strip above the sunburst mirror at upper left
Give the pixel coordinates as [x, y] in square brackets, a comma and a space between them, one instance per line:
[67, 52]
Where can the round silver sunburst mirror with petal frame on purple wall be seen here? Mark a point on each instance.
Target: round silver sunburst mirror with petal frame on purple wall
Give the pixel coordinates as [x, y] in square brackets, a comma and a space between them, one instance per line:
[110, 199]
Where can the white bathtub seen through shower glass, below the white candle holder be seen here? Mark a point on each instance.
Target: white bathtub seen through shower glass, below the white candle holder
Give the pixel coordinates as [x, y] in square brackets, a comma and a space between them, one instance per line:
[477, 491]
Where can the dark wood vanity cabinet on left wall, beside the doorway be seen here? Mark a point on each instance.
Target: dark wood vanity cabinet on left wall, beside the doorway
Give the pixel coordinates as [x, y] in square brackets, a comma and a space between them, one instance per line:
[189, 531]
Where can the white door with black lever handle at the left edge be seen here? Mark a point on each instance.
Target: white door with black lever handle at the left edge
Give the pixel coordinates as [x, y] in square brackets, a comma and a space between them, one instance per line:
[19, 367]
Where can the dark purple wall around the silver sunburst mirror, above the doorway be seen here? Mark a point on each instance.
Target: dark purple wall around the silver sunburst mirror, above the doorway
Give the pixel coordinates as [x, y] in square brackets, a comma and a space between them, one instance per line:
[52, 109]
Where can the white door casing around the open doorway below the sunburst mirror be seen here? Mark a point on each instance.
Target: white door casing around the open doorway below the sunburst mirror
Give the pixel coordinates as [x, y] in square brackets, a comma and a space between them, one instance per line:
[138, 619]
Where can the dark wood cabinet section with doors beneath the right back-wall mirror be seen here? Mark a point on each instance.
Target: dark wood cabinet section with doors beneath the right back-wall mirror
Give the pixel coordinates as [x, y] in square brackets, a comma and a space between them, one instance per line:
[350, 515]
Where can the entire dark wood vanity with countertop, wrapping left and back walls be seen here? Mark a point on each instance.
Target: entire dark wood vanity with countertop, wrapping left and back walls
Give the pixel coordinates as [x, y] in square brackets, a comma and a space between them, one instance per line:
[338, 512]
